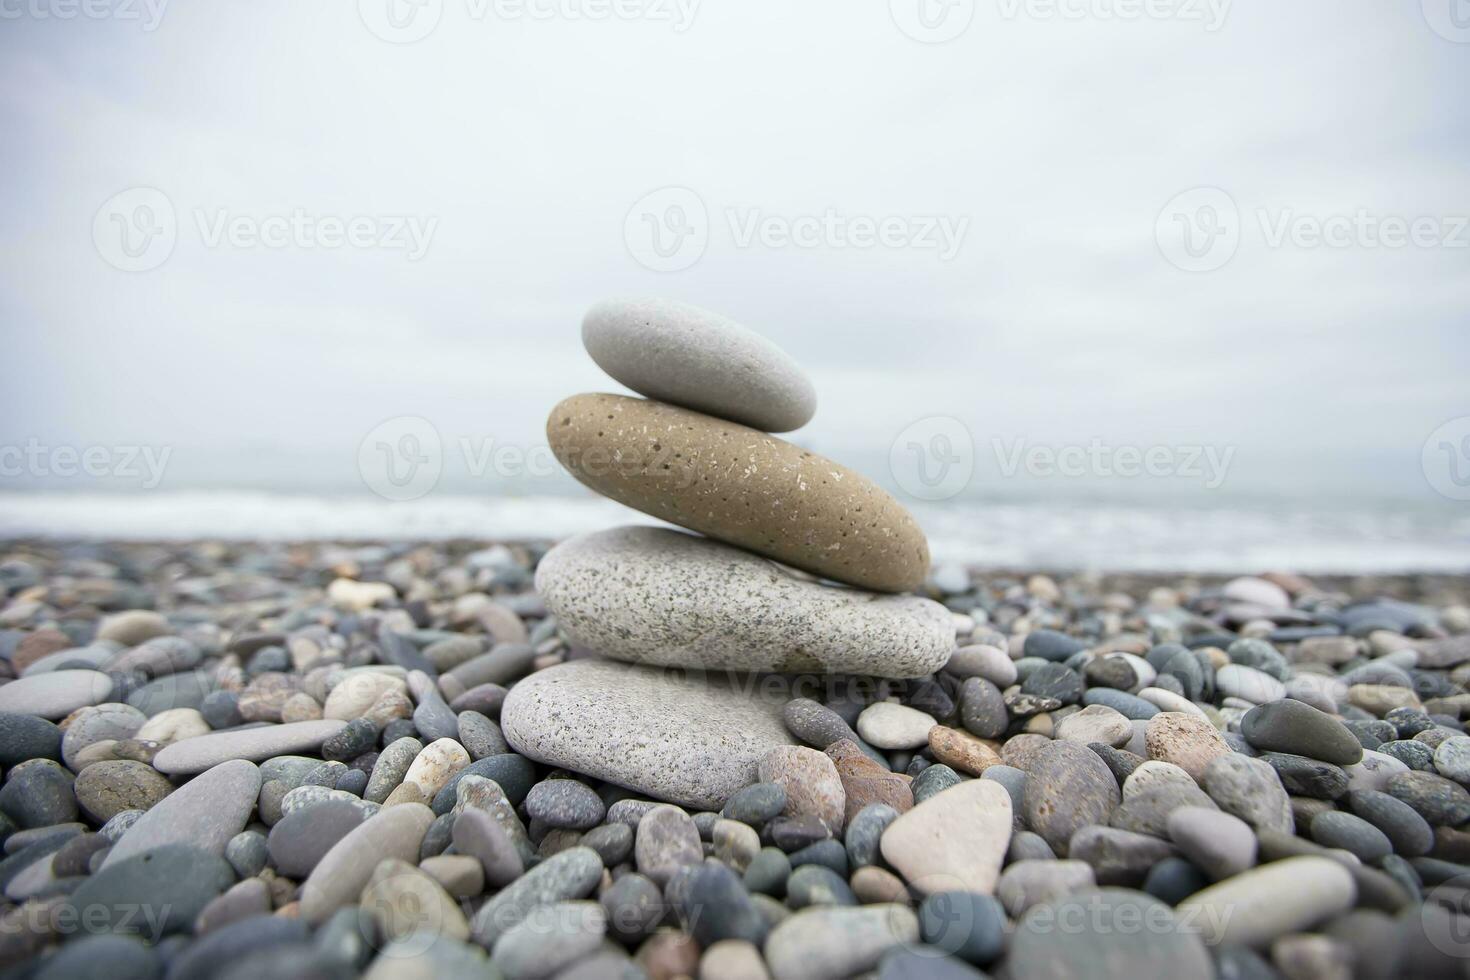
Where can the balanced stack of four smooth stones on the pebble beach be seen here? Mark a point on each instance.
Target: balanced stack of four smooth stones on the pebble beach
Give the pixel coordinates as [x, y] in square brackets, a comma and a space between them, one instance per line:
[796, 568]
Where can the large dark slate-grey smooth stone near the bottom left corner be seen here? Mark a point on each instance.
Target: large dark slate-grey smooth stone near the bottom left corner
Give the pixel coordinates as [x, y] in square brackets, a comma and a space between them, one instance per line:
[174, 882]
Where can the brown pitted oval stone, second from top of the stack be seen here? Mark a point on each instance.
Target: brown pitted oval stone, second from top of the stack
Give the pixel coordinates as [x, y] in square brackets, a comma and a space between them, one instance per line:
[742, 487]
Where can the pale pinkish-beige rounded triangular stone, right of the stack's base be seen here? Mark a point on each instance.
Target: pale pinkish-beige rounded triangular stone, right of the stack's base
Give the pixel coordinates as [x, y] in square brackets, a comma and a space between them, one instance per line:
[956, 840]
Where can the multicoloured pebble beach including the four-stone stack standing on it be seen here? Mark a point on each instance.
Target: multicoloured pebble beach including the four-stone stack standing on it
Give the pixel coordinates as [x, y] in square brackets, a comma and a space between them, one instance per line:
[770, 738]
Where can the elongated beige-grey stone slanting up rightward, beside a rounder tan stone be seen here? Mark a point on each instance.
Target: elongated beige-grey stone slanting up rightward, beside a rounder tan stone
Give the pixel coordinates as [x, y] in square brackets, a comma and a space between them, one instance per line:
[342, 875]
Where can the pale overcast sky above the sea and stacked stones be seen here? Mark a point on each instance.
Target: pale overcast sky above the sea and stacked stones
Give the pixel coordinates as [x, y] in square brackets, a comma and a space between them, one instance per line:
[1027, 171]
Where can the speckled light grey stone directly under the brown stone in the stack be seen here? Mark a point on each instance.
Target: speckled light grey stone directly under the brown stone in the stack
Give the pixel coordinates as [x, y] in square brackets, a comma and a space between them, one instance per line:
[662, 597]
